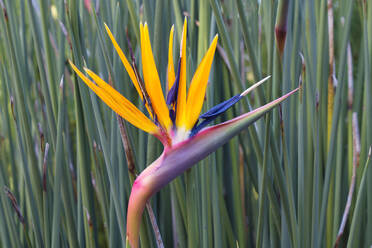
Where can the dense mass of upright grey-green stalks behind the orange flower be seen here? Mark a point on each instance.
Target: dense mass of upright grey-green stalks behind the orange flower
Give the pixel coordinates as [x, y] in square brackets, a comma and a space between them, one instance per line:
[297, 178]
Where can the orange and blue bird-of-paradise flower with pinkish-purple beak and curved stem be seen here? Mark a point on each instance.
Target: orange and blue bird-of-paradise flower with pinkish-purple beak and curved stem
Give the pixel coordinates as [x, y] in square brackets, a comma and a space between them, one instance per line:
[174, 120]
